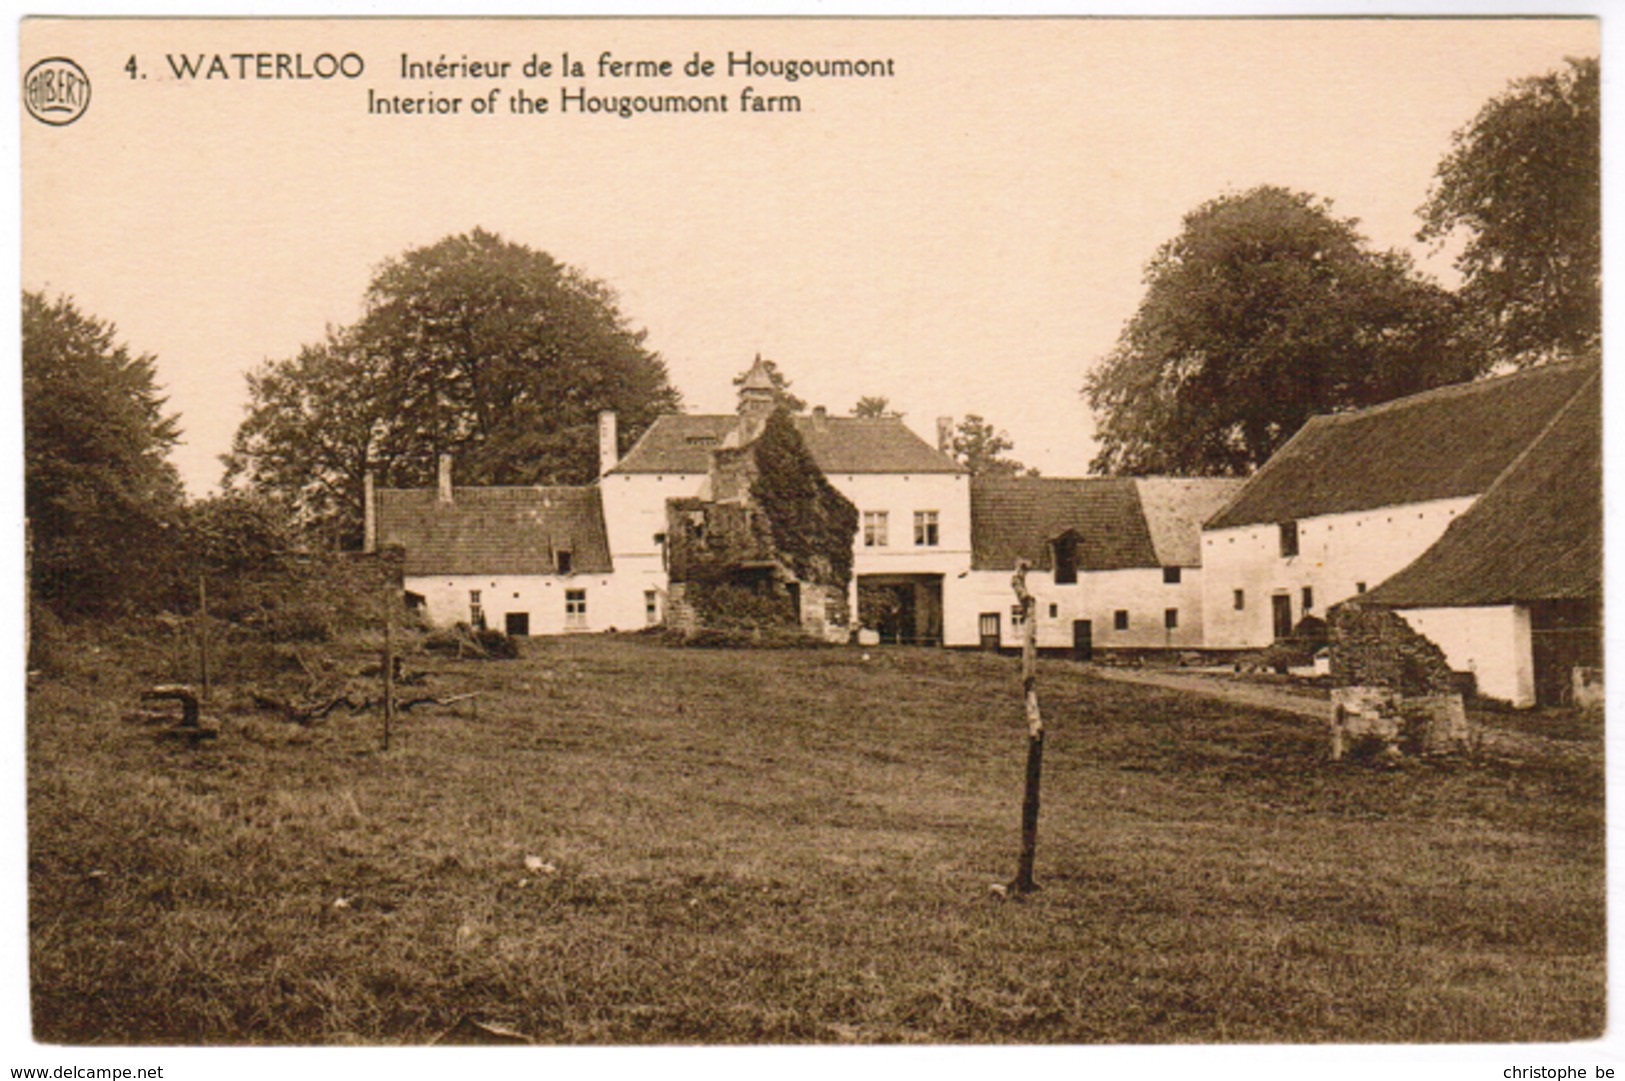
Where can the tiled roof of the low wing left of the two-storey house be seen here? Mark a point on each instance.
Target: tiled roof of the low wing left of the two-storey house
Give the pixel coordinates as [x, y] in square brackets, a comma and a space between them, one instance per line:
[496, 531]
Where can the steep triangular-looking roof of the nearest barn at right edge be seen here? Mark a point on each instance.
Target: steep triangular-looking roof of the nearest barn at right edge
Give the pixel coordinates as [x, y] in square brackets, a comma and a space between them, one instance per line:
[1535, 536]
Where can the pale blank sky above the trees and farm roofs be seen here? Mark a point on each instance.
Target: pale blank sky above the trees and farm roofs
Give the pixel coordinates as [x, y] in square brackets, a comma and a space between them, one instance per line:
[963, 237]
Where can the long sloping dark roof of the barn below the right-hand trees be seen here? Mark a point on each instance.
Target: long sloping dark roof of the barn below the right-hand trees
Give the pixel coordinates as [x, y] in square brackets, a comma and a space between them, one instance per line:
[1439, 445]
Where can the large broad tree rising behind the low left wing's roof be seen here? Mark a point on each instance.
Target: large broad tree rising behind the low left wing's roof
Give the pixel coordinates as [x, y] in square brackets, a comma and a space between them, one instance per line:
[474, 347]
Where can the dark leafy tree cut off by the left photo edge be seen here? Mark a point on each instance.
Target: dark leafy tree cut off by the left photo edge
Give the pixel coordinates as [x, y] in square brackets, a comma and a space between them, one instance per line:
[98, 487]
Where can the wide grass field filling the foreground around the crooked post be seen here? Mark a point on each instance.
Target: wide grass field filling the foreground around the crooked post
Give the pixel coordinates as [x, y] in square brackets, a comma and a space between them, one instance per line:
[644, 844]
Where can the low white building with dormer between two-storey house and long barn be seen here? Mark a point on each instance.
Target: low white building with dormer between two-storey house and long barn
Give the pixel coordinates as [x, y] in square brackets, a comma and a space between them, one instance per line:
[1116, 563]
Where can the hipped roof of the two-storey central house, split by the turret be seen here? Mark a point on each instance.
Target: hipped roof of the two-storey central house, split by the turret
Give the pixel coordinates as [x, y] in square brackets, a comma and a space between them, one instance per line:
[682, 443]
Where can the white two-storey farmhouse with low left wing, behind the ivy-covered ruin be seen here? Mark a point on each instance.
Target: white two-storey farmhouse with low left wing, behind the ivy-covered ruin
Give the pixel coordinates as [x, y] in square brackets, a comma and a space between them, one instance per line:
[592, 558]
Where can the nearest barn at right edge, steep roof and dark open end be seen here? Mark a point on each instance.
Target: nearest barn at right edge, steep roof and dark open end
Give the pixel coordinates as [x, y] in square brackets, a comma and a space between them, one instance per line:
[1514, 589]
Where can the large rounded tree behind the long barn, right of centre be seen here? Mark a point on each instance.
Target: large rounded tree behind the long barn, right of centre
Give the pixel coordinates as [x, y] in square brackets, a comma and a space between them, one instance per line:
[1265, 311]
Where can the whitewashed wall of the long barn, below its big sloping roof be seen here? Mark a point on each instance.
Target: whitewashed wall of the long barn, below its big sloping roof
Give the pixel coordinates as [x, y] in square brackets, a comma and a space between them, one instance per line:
[1337, 554]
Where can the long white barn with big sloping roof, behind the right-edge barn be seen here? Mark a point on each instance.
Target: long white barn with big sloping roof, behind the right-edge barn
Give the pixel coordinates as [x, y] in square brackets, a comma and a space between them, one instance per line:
[1356, 498]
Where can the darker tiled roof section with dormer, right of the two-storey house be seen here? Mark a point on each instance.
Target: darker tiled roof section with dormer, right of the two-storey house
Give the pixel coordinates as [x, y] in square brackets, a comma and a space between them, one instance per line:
[1016, 518]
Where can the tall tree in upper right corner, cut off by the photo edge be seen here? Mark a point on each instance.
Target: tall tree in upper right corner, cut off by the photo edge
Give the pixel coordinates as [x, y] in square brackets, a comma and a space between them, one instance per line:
[1525, 185]
